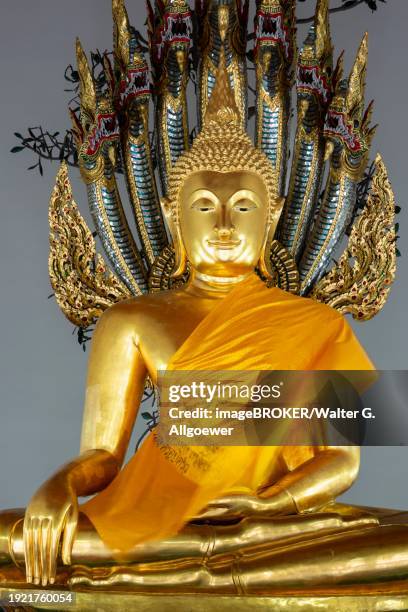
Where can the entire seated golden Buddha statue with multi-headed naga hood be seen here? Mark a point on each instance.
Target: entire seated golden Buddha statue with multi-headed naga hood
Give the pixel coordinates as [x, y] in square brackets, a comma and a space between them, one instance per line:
[242, 286]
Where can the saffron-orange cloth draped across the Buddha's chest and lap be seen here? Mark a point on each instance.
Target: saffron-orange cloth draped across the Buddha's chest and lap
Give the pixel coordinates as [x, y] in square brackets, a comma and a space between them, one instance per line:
[252, 328]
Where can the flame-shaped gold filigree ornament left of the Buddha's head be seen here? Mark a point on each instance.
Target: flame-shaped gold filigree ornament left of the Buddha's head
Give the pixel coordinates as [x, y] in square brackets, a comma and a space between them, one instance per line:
[84, 287]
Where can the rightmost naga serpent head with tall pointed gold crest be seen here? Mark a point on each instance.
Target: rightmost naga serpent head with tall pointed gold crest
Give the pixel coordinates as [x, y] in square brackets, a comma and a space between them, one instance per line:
[347, 127]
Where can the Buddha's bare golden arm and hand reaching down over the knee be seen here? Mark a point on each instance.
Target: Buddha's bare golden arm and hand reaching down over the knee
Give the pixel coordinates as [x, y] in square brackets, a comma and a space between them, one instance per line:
[114, 388]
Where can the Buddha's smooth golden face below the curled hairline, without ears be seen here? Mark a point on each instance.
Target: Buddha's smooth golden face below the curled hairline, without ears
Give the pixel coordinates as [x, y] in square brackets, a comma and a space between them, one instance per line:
[223, 220]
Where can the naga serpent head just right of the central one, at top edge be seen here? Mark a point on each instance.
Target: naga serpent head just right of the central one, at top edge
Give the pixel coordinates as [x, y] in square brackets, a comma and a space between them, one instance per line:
[274, 31]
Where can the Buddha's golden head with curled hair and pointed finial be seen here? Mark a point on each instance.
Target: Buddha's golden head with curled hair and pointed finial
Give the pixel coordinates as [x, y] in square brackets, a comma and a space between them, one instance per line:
[222, 206]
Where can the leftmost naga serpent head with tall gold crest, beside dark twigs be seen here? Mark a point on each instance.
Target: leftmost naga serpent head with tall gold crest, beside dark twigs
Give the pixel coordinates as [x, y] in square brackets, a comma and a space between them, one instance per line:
[96, 130]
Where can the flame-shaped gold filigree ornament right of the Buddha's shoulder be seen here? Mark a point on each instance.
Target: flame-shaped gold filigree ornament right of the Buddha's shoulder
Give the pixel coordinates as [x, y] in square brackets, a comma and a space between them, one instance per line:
[360, 282]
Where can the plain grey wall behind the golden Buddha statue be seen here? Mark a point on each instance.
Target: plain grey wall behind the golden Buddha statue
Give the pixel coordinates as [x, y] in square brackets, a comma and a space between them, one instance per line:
[42, 369]
